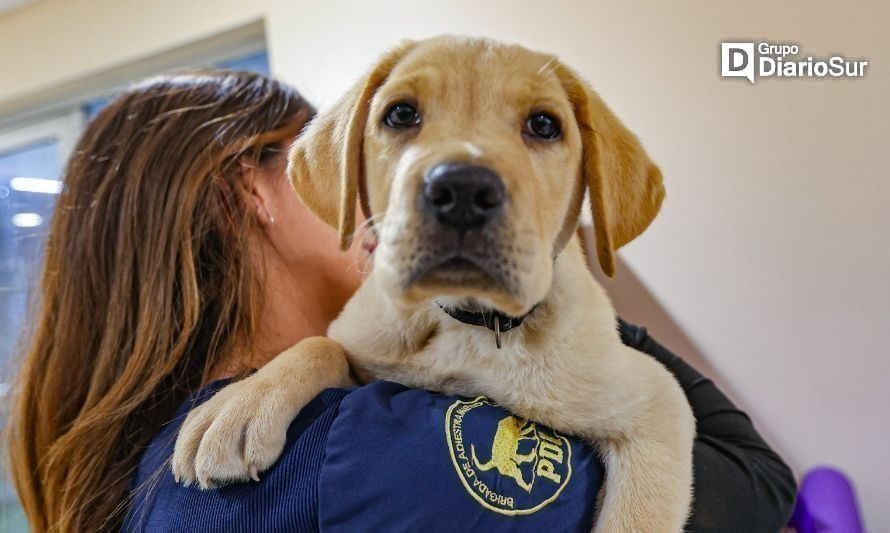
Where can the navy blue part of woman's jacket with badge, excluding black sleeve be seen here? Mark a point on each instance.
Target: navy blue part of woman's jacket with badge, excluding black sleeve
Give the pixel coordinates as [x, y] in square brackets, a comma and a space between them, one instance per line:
[386, 457]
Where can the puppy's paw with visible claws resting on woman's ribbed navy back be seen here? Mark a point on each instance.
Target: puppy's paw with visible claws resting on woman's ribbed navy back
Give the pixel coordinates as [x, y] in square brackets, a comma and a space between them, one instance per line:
[238, 433]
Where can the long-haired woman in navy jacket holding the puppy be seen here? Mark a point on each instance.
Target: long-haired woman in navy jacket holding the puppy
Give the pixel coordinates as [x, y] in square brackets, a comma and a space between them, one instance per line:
[179, 258]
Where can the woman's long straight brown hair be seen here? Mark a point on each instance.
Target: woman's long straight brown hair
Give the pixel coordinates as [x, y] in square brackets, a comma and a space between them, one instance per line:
[147, 284]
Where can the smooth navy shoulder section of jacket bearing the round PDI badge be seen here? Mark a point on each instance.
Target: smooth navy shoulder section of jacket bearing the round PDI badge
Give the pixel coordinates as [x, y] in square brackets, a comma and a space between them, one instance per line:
[401, 459]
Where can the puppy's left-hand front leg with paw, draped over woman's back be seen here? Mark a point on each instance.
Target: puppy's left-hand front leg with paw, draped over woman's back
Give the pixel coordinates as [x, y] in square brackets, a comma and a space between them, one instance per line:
[242, 430]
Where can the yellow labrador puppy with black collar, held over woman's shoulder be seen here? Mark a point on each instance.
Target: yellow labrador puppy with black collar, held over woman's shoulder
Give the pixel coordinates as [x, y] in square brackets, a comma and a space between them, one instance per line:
[472, 158]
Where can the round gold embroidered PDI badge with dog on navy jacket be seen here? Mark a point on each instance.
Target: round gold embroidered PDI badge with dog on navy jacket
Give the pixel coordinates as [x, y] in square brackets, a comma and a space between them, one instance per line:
[509, 465]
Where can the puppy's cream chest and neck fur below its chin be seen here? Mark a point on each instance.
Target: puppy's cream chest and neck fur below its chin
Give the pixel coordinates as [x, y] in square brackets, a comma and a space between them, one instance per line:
[532, 374]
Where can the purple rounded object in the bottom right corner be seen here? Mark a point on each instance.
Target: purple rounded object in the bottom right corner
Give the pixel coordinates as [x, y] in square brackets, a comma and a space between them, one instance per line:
[826, 503]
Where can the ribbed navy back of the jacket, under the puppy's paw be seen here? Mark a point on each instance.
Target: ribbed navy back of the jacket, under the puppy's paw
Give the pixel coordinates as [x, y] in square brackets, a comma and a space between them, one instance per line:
[285, 499]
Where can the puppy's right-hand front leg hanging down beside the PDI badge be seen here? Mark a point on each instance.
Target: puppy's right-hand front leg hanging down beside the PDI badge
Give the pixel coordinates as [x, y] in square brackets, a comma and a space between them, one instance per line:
[649, 462]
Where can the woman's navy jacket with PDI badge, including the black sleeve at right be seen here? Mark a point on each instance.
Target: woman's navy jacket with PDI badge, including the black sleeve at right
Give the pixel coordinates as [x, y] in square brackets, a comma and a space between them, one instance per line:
[386, 458]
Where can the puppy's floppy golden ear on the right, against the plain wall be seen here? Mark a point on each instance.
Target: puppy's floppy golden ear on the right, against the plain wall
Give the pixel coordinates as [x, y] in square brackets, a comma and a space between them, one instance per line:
[625, 186]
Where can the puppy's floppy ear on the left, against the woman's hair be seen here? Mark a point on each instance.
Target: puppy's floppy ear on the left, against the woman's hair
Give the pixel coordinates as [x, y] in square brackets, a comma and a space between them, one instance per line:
[326, 163]
